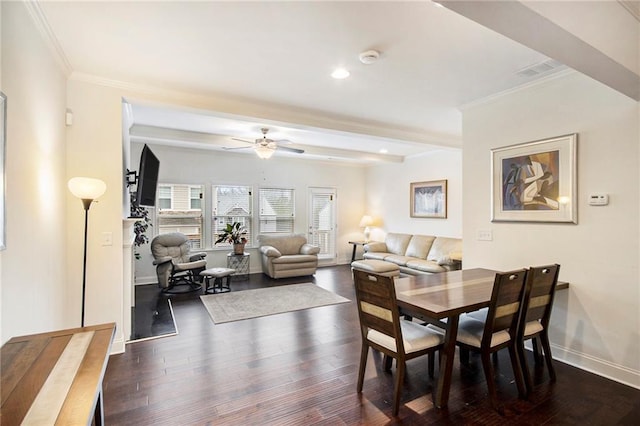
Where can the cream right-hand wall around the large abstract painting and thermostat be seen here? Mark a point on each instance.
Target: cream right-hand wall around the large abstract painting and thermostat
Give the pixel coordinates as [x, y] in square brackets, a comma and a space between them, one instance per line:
[596, 323]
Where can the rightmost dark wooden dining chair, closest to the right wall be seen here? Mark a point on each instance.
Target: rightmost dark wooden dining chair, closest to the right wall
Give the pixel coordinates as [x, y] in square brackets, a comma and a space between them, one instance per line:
[534, 322]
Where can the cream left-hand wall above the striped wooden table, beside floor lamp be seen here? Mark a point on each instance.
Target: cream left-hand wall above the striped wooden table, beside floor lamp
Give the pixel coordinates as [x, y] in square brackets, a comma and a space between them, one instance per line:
[34, 296]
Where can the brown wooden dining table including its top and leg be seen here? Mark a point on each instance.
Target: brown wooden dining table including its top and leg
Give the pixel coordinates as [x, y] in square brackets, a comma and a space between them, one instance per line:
[440, 299]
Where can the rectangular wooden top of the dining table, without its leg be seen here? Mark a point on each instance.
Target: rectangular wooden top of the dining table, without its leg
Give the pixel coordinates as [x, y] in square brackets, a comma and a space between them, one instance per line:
[446, 294]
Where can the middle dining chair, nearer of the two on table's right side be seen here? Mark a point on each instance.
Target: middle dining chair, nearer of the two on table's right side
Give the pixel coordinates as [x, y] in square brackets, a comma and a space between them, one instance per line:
[498, 330]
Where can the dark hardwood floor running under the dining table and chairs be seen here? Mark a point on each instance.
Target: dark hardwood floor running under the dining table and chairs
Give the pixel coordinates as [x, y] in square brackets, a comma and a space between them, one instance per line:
[300, 368]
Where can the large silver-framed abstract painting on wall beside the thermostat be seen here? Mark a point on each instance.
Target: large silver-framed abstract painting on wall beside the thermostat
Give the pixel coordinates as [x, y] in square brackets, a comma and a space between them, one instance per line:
[535, 181]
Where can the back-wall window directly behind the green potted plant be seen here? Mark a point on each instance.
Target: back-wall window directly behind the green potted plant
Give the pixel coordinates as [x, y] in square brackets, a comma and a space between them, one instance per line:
[231, 204]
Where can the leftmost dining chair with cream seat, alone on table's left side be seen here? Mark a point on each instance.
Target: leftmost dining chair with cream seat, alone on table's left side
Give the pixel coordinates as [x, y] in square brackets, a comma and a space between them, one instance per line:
[383, 330]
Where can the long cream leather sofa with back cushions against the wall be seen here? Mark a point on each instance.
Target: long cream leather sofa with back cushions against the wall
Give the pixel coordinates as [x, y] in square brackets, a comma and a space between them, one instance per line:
[417, 254]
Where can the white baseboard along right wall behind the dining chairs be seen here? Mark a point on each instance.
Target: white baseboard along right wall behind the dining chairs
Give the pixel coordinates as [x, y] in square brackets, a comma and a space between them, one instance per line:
[601, 367]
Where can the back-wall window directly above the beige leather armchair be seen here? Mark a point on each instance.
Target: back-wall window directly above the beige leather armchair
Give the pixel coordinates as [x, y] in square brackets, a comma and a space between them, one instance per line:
[277, 210]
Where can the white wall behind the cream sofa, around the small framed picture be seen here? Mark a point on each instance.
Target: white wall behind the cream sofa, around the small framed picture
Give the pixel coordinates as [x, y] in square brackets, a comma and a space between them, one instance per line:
[387, 189]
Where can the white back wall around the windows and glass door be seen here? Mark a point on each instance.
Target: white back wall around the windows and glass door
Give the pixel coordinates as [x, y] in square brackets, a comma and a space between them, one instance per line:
[189, 166]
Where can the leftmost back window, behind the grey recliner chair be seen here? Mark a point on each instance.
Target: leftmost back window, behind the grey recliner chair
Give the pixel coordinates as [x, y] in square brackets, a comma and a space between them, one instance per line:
[179, 210]
